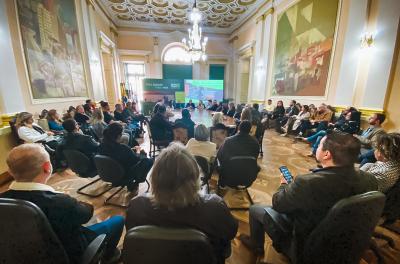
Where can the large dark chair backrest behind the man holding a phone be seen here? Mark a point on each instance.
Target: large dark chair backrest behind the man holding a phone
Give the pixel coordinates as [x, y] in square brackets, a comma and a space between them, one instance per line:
[346, 231]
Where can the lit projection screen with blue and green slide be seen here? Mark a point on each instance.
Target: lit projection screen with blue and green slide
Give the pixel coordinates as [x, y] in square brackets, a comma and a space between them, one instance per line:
[204, 90]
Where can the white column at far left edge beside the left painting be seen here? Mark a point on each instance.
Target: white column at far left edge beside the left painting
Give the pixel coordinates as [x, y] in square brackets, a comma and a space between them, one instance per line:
[9, 82]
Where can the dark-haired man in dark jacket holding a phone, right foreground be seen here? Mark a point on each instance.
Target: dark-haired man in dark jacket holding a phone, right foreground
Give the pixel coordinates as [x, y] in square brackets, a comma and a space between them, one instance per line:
[308, 198]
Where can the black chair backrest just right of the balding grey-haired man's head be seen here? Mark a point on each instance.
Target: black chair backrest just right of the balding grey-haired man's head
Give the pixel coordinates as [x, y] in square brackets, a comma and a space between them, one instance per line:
[78, 162]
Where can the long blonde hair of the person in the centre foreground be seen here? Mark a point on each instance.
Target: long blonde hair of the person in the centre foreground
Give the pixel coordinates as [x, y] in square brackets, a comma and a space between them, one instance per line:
[175, 178]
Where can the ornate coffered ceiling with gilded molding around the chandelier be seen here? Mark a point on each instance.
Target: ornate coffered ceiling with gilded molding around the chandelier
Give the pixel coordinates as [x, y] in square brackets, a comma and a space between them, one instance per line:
[219, 16]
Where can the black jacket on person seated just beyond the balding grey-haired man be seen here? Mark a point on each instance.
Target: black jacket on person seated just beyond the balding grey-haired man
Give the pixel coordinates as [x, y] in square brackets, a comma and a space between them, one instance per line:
[79, 142]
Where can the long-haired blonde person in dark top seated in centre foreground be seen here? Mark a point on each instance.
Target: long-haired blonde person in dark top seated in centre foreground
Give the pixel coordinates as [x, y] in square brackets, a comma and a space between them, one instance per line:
[175, 201]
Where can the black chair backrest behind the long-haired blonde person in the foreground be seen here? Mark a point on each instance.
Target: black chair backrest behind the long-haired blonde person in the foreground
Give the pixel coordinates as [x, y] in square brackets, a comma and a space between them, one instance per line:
[154, 245]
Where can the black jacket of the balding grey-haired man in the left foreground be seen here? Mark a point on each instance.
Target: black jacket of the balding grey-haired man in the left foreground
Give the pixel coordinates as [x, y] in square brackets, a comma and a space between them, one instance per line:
[65, 214]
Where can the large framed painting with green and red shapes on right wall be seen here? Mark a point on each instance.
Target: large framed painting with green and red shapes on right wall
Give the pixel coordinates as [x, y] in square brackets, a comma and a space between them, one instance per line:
[303, 50]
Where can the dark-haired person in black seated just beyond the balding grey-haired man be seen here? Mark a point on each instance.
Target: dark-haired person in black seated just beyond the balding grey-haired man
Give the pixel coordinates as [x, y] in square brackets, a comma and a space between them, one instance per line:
[76, 140]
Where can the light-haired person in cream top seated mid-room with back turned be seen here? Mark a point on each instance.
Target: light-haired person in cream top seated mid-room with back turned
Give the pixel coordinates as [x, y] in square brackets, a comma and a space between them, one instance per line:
[200, 145]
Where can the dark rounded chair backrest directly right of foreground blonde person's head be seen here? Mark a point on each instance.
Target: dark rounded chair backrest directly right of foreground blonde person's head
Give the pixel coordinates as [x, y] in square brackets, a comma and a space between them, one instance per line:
[239, 171]
